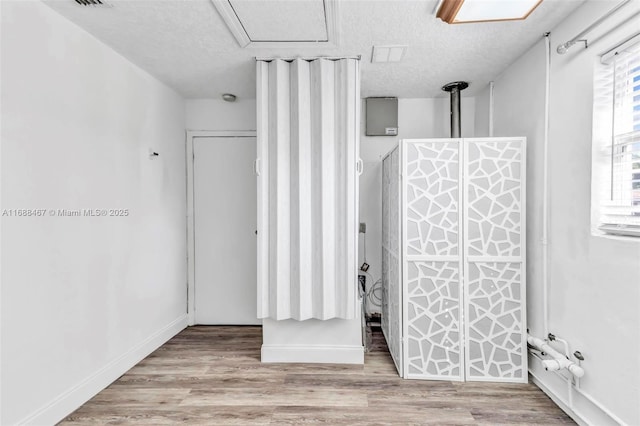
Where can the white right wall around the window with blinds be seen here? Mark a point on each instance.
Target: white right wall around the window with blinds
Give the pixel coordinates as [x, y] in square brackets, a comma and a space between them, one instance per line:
[594, 281]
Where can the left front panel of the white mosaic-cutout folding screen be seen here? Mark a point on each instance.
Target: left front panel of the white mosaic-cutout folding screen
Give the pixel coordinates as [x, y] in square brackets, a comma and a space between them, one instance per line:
[432, 240]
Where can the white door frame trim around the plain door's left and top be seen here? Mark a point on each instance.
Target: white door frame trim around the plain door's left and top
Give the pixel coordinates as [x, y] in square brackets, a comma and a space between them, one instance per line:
[189, 158]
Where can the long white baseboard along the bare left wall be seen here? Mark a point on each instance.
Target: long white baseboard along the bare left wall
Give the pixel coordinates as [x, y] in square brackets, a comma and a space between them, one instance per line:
[60, 407]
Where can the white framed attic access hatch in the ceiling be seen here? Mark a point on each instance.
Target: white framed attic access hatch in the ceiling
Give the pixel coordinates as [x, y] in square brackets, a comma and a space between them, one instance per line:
[280, 23]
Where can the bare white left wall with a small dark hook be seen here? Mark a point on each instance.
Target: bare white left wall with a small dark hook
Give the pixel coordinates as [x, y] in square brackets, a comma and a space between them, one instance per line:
[84, 298]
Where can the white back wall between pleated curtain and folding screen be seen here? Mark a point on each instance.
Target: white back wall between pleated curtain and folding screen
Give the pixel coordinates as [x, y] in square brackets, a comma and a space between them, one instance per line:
[417, 118]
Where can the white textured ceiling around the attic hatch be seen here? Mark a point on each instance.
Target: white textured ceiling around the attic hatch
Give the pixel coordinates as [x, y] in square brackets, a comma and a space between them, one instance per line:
[186, 44]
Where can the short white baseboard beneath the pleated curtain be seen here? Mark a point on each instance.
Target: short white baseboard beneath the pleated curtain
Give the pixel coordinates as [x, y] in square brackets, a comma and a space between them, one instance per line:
[313, 354]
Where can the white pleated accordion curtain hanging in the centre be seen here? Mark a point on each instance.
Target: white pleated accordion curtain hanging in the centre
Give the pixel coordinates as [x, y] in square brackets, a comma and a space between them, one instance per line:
[307, 164]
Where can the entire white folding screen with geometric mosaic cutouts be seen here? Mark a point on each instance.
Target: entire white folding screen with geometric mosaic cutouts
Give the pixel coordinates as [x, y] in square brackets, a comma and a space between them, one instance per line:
[462, 280]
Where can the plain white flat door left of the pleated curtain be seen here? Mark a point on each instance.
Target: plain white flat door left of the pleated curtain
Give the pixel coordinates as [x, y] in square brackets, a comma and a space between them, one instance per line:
[224, 197]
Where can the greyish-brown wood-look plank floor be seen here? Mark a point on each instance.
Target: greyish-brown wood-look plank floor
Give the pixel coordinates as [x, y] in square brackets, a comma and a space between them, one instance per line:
[213, 376]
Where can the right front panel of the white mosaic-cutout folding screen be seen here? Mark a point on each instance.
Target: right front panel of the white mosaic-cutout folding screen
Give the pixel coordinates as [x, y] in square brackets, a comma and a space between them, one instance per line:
[494, 259]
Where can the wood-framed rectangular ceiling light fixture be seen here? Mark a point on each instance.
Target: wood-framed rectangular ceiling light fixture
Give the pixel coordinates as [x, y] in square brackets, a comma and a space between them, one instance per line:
[468, 11]
